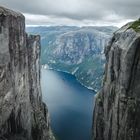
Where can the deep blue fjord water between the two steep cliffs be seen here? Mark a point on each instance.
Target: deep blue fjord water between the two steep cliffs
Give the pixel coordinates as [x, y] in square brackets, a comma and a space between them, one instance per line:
[70, 105]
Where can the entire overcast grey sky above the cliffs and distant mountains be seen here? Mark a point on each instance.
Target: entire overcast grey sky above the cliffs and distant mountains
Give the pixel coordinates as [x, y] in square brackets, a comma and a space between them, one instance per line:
[76, 12]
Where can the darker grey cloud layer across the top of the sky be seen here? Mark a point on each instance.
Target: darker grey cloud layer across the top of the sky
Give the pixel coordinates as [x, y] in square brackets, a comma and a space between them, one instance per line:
[96, 10]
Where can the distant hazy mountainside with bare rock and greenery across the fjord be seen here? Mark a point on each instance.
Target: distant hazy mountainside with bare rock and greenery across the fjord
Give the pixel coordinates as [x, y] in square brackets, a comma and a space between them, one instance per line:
[77, 50]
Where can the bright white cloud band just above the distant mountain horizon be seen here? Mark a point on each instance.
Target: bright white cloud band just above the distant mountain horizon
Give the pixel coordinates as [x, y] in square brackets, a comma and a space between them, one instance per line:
[33, 20]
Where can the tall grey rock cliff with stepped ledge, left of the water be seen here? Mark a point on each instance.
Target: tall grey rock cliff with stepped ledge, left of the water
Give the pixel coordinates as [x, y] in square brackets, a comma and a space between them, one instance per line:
[22, 113]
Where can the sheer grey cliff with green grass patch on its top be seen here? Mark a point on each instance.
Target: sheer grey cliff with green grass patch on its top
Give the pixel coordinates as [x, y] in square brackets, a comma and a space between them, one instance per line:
[117, 107]
